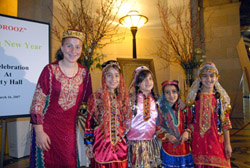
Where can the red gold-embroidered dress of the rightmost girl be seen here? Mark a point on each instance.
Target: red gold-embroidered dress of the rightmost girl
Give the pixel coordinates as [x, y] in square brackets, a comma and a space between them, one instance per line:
[208, 142]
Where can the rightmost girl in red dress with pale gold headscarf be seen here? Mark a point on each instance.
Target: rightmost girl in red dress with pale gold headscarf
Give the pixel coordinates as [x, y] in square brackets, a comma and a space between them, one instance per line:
[210, 110]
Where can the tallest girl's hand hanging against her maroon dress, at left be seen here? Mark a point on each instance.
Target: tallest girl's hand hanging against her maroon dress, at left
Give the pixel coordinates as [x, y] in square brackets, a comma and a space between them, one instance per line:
[42, 140]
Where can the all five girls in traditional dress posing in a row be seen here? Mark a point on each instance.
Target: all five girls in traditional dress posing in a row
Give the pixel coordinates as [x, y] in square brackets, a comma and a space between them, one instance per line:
[123, 127]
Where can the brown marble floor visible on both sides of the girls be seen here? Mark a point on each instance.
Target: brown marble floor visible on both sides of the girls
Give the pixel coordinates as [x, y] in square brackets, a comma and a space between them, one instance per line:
[240, 141]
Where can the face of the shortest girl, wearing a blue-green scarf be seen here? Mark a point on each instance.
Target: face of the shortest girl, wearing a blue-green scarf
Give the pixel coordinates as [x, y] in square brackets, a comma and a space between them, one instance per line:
[171, 94]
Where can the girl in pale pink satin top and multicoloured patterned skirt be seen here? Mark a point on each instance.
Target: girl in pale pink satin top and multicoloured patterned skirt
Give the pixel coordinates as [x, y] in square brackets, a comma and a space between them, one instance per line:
[143, 149]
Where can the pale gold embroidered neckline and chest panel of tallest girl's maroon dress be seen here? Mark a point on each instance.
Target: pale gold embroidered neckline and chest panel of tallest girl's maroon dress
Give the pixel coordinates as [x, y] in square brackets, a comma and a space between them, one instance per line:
[69, 88]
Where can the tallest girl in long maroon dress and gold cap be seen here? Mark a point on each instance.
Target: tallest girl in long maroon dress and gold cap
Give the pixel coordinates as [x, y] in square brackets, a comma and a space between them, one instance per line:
[61, 88]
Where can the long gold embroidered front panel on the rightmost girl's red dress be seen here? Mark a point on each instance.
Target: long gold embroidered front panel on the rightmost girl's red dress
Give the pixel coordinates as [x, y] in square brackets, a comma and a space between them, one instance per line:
[205, 113]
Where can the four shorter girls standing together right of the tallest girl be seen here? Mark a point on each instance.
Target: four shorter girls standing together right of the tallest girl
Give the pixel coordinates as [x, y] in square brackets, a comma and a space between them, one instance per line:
[123, 127]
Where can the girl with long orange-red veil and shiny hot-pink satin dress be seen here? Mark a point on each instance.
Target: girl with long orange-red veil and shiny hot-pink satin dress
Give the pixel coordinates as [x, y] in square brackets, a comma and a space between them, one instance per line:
[108, 115]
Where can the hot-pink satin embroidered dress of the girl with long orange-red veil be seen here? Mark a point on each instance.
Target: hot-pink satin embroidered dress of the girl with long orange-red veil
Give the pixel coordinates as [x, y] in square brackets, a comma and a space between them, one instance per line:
[109, 144]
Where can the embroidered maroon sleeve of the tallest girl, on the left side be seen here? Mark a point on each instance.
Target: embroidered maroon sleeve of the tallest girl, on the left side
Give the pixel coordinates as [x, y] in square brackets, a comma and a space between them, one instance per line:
[40, 102]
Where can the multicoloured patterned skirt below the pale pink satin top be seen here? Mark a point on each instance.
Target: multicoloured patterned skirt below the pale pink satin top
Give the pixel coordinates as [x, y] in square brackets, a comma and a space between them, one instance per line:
[143, 154]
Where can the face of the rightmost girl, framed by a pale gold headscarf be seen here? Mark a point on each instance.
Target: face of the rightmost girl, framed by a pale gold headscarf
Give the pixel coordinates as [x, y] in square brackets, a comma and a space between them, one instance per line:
[208, 80]
